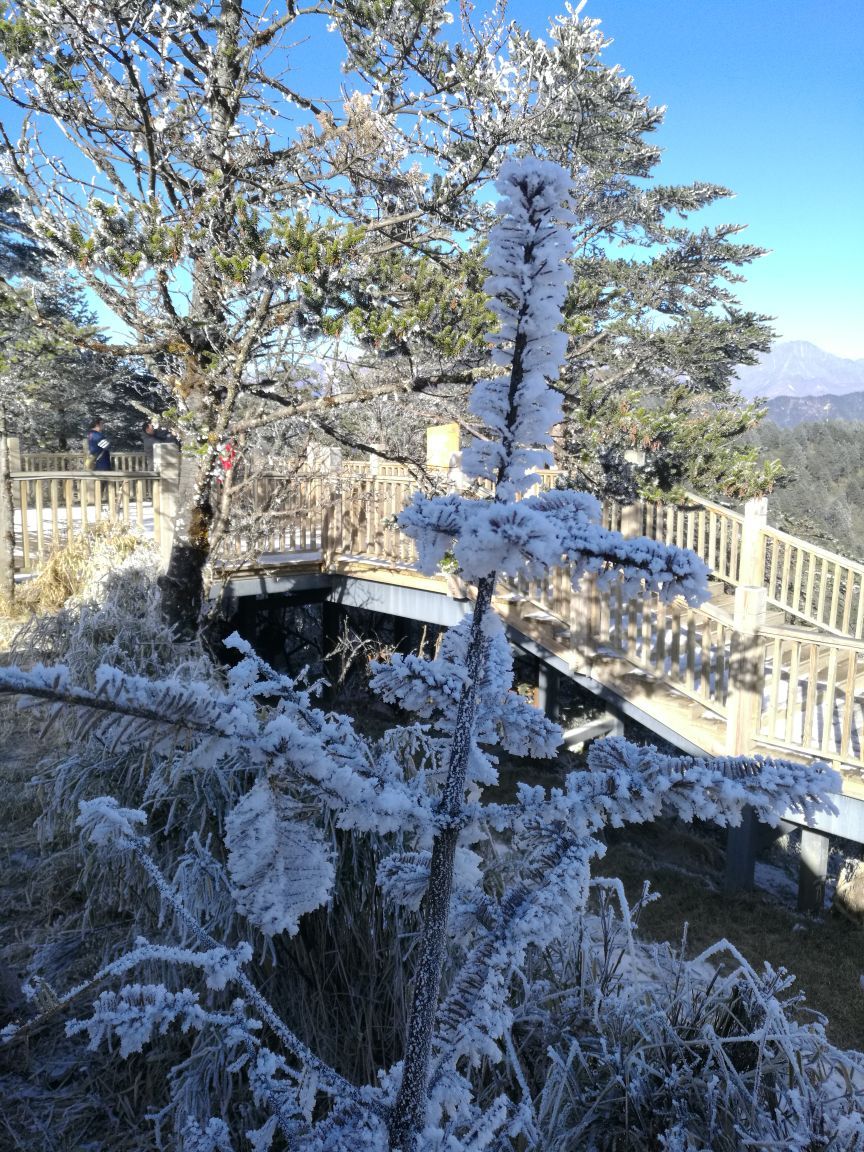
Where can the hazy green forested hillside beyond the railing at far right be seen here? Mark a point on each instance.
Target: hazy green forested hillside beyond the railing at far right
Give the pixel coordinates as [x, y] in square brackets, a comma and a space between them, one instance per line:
[822, 496]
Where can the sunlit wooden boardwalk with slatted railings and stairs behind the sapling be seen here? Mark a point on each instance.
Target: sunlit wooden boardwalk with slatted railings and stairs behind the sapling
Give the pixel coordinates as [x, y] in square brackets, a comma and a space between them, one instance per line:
[774, 663]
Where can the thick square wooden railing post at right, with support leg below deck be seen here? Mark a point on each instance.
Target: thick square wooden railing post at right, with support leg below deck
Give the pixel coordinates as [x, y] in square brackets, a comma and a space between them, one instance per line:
[747, 677]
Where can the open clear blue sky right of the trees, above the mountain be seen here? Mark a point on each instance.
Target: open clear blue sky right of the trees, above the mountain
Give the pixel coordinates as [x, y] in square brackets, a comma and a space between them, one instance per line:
[766, 97]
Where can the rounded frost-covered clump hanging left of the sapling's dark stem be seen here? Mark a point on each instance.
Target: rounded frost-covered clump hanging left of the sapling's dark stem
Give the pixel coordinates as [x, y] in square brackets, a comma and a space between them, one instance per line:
[278, 862]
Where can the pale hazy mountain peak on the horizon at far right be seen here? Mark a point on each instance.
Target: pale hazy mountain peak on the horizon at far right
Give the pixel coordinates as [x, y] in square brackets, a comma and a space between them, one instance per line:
[799, 369]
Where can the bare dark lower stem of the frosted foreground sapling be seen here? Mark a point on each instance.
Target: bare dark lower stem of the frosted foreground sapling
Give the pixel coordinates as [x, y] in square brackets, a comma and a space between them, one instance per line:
[411, 1104]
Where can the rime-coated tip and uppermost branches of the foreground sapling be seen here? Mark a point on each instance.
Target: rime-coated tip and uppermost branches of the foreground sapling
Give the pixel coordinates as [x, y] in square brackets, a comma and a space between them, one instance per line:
[529, 277]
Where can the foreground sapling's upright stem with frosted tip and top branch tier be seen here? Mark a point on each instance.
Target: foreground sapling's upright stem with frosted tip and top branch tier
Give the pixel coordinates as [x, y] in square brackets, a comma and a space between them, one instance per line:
[528, 281]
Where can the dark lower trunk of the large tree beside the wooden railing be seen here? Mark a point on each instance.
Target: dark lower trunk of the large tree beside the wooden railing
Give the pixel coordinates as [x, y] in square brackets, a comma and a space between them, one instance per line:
[183, 586]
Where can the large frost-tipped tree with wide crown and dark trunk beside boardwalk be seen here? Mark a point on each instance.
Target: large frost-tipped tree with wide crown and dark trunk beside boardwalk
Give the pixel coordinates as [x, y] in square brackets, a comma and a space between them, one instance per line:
[284, 252]
